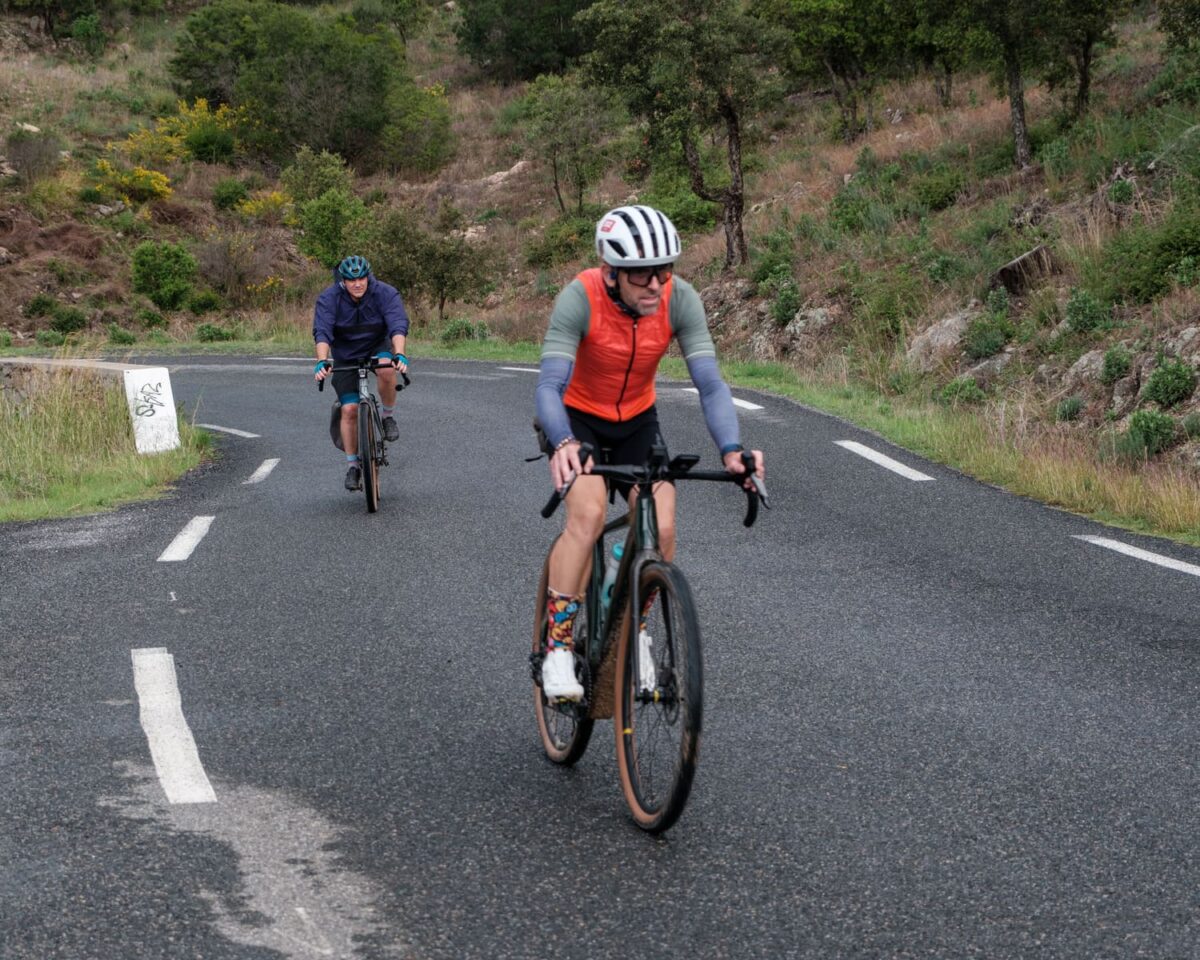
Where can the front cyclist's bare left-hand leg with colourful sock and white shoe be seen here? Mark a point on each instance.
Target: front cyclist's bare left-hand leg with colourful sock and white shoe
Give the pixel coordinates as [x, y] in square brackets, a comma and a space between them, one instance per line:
[569, 567]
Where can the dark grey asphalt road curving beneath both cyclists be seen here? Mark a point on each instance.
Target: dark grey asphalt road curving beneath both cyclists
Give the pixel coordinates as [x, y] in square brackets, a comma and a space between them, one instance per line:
[938, 723]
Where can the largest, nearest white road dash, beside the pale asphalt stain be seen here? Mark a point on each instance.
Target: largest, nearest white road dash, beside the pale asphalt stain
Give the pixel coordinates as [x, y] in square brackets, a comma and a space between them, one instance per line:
[172, 746]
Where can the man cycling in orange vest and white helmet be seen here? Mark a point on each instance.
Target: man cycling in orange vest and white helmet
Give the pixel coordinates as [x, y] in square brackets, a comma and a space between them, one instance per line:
[608, 334]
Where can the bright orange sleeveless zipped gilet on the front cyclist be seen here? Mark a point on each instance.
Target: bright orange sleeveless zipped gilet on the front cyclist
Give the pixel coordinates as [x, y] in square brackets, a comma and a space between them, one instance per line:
[616, 362]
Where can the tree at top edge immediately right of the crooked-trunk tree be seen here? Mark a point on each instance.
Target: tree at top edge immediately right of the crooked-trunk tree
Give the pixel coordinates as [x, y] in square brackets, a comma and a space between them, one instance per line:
[853, 44]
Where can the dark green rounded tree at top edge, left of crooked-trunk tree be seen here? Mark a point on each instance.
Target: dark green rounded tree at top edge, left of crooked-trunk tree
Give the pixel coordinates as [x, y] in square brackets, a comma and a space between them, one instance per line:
[518, 40]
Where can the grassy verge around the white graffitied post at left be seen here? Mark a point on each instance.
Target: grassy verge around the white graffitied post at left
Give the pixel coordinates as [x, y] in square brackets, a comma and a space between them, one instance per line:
[69, 449]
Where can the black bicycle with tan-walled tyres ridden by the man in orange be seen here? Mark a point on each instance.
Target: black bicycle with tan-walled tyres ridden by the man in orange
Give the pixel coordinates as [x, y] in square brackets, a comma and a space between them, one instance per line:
[644, 670]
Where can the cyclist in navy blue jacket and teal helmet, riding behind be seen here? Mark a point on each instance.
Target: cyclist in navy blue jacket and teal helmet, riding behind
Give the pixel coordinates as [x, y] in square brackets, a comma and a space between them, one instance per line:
[358, 317]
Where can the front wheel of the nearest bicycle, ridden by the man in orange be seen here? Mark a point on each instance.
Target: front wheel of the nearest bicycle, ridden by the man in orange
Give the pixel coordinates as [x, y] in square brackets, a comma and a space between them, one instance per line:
[658, 729]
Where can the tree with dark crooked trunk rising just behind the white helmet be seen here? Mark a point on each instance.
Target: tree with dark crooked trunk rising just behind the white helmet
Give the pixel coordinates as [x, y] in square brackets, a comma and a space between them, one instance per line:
[692, 69]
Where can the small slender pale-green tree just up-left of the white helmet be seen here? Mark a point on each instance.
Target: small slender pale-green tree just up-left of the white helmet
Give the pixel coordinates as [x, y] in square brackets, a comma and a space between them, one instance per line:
[566, 128]
